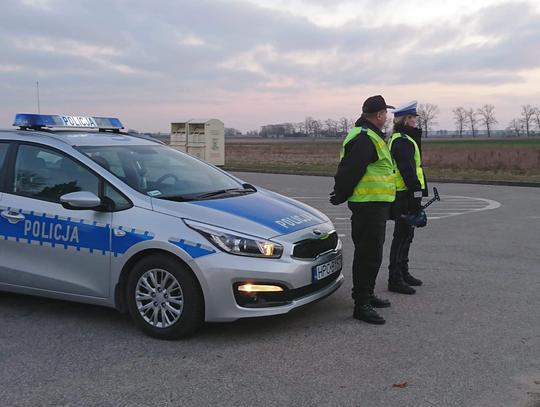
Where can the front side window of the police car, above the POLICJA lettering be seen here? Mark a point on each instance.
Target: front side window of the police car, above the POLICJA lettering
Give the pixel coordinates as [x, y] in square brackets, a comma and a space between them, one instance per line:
[43, 173]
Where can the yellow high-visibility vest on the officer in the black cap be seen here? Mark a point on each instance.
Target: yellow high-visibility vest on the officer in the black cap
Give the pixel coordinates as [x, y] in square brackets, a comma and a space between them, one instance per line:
[378, 183]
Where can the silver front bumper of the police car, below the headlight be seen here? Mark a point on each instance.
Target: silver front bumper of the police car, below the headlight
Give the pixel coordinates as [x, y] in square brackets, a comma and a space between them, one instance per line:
[220, 275]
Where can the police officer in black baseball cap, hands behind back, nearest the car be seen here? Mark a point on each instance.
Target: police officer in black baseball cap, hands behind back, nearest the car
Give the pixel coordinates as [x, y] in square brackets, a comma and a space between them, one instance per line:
[365, 178]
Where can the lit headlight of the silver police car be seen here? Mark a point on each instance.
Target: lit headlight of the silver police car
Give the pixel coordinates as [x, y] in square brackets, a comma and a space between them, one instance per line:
[235, 243]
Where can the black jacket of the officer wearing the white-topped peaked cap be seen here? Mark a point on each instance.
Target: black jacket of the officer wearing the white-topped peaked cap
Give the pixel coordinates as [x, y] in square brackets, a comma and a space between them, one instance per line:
[403, 153]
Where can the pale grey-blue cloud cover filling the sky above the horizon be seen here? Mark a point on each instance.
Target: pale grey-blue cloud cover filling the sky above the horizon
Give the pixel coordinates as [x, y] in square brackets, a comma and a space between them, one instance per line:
[212, 51]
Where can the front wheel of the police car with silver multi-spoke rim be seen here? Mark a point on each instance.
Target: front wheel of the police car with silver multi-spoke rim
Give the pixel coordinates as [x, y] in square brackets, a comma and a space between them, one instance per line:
[164, 298]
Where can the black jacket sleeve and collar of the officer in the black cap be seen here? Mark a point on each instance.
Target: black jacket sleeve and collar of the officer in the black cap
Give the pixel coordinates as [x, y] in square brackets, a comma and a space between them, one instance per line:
[359, 153]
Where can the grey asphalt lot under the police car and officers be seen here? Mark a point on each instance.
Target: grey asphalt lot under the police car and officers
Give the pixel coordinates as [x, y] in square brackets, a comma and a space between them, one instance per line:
[469, 337]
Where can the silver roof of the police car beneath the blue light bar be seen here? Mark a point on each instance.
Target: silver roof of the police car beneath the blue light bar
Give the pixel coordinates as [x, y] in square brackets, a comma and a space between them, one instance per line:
[83, 137]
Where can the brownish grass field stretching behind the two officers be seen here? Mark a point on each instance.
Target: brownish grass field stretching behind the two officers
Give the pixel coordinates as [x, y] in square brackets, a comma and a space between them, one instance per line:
[481, 159]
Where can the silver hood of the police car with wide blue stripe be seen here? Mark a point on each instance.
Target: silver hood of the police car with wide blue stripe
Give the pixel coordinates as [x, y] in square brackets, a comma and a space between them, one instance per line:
[263, 213]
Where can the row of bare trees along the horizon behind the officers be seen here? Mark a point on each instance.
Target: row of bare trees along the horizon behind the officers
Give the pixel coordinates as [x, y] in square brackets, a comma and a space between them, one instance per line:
[465, 119]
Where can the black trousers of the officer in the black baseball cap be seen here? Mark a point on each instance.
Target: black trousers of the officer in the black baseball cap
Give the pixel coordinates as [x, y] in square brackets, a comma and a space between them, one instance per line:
[368, 234]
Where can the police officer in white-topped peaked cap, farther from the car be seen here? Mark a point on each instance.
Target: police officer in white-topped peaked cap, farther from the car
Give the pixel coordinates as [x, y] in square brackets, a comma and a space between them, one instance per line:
[410, 184]
